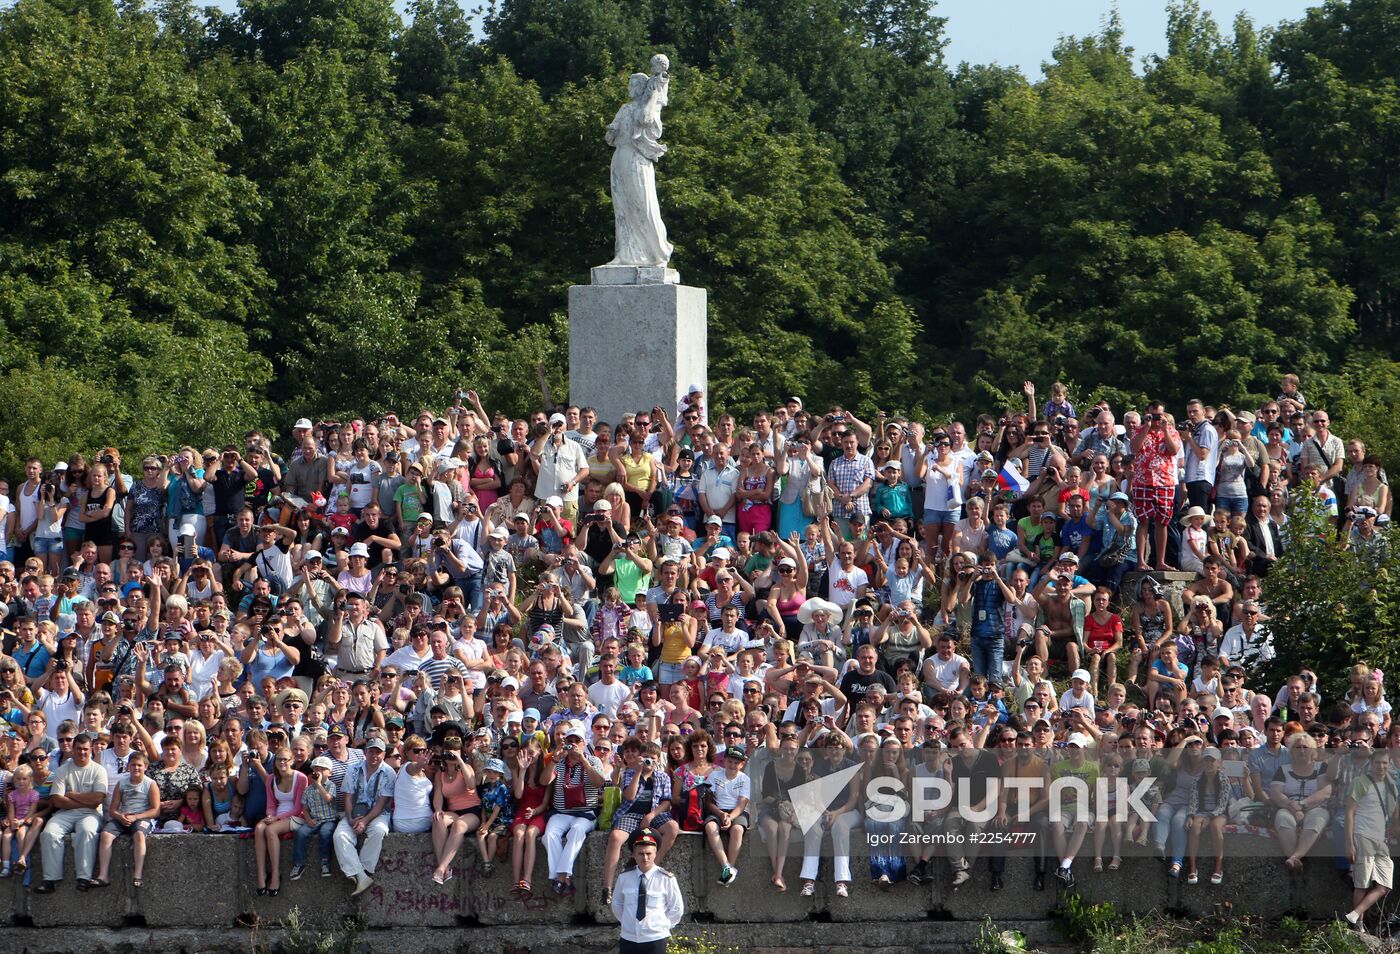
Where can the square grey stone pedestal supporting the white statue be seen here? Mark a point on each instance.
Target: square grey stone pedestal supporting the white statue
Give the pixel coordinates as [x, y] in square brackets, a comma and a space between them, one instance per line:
[636, 345]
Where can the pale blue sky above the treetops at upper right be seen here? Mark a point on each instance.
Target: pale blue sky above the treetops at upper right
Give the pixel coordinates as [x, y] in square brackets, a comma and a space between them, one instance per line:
[1023, 33]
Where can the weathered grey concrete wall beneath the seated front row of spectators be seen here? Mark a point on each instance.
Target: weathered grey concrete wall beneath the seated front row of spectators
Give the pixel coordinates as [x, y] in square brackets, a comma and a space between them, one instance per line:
[204, 883]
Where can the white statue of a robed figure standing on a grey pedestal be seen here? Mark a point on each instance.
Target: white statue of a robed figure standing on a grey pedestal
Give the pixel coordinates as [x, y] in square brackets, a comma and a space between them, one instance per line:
[635, 134]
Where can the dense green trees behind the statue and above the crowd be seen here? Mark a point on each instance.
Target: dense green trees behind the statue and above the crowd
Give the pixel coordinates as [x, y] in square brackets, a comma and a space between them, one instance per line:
[314, 207]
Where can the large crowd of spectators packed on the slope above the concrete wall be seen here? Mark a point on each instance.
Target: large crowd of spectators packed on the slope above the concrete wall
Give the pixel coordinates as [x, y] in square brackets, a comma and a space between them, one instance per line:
[513, 632]
